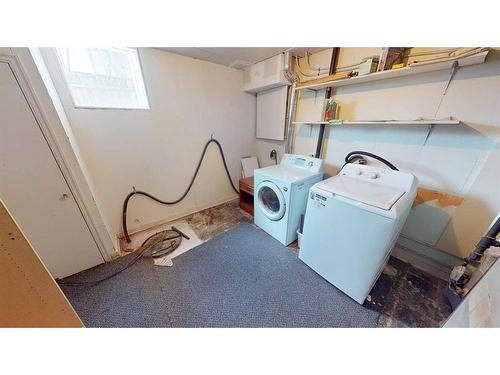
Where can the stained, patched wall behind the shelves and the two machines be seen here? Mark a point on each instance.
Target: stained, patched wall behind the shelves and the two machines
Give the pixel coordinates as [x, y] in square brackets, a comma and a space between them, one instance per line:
[458, 160]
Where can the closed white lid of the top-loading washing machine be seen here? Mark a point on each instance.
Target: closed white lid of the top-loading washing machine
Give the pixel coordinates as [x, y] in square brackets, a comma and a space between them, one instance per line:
[373, 194]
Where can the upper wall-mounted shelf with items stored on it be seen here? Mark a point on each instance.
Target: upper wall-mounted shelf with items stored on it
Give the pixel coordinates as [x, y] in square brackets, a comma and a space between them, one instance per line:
[402, 72]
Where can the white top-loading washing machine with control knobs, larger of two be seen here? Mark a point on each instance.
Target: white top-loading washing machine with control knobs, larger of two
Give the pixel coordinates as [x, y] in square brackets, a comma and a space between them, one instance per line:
[352, 223]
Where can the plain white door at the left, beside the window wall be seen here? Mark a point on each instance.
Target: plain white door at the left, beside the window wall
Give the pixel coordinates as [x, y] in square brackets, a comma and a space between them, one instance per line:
[34, 190]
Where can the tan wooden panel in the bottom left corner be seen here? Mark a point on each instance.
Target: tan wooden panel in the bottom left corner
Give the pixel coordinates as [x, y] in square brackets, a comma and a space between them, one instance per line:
[29, 296]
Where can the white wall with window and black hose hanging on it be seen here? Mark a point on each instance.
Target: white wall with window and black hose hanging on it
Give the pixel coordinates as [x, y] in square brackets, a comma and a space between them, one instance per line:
[157, 150]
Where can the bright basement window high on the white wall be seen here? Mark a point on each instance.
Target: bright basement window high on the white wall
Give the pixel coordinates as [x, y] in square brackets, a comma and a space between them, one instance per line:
[108, 78]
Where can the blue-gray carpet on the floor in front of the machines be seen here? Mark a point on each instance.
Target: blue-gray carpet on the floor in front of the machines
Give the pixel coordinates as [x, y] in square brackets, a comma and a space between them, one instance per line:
[242, 278]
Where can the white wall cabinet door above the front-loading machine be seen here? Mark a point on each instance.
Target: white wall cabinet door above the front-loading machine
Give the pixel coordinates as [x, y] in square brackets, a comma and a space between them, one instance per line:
[271, 110]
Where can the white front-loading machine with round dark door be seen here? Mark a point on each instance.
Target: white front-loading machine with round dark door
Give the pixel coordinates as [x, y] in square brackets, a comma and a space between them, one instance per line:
[280, 194]
